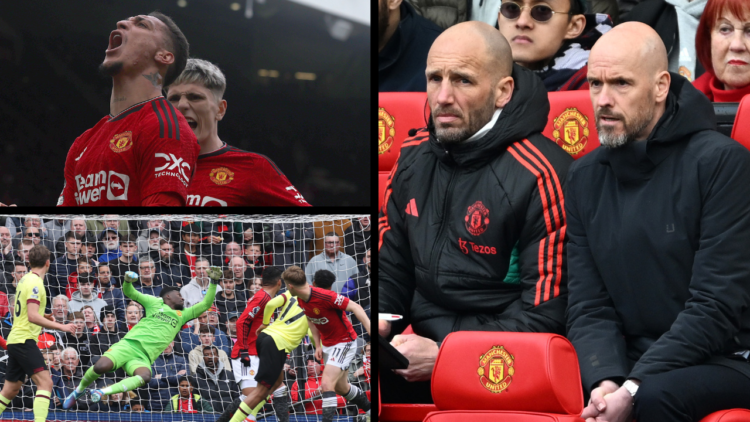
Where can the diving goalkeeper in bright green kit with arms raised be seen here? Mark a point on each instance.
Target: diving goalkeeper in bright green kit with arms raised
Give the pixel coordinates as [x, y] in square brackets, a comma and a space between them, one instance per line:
[140, 347]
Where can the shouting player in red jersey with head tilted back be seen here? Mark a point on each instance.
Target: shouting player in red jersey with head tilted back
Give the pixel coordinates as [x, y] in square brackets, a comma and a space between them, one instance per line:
[144, 152]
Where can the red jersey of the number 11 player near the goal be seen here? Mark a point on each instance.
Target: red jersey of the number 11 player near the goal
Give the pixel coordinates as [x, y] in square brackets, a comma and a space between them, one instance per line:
[325, 309]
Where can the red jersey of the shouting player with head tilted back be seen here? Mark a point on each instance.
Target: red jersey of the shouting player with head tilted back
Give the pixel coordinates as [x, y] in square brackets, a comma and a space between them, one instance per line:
[148, 148]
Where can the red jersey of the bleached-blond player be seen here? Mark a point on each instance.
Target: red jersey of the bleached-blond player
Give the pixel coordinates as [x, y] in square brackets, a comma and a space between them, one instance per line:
[231, 177]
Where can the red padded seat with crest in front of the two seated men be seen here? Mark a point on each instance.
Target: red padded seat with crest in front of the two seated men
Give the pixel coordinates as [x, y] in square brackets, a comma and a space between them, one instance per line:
[526, 377]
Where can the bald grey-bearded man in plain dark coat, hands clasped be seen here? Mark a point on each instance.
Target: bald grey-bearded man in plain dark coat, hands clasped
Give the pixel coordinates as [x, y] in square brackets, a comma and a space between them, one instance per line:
[658, 257]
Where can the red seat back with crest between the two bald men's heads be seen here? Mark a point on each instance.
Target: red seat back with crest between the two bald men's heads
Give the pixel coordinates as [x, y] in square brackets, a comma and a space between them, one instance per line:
[571, 122]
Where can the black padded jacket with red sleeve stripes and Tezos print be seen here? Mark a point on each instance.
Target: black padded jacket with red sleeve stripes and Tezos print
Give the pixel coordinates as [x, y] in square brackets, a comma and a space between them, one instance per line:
[472, 237]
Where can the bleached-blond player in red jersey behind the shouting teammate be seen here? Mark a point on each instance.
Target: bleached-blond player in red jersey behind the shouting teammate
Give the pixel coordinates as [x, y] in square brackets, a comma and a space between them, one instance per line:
[226, 176]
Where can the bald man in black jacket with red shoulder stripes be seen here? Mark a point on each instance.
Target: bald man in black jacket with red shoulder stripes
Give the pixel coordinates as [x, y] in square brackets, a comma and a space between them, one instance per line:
[473, 231]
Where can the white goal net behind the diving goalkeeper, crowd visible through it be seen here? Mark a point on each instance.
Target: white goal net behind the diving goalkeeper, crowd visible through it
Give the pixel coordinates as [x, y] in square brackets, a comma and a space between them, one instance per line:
[194, 378]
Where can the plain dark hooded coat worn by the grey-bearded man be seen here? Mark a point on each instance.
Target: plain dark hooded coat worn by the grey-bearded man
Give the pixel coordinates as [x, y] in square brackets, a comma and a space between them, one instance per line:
[659, 250]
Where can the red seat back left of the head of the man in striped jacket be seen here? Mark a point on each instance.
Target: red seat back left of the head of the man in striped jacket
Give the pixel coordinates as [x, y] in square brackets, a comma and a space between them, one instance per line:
[398, 113]
